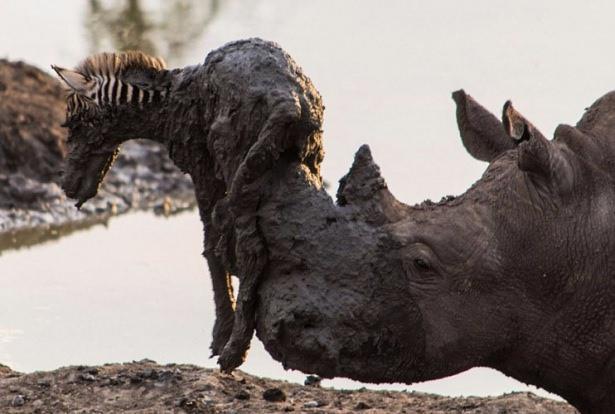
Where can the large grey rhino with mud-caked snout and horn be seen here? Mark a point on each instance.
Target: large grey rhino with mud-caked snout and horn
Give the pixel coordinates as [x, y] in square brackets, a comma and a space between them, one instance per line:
[516, 274]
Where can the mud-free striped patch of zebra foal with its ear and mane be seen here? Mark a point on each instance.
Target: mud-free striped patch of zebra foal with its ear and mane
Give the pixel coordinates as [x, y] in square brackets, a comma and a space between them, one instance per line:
[114, 79]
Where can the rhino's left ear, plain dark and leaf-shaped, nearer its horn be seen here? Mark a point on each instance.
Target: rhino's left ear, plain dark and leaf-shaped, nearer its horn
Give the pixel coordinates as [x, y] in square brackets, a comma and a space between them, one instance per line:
[481, 132]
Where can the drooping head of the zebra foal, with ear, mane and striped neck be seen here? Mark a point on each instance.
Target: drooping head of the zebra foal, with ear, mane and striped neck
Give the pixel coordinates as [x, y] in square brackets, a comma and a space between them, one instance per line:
[111, 97]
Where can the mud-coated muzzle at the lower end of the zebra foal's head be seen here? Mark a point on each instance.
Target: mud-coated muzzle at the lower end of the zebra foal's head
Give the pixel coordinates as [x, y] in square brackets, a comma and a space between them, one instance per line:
[81, 182]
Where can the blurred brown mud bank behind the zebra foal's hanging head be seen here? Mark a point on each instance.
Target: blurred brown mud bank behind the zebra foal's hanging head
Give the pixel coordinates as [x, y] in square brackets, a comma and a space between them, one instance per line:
[33, 208]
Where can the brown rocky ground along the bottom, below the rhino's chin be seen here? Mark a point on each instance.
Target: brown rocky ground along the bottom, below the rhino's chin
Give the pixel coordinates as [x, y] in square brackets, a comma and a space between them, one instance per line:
[145, 387]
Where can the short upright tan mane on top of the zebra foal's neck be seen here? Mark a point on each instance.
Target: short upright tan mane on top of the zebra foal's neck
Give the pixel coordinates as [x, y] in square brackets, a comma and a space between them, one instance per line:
[117, 64]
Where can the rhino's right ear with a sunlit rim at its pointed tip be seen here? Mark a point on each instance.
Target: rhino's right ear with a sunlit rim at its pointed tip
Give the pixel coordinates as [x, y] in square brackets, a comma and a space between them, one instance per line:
[544, 162]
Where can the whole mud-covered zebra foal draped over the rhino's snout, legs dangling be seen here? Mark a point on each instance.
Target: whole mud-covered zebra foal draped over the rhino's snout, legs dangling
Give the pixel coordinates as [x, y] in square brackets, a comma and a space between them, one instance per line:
[248, 98]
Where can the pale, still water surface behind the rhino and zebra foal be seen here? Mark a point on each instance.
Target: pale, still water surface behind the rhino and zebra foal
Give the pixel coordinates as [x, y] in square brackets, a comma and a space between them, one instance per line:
[138, 288]
